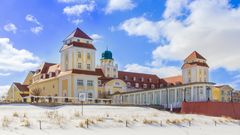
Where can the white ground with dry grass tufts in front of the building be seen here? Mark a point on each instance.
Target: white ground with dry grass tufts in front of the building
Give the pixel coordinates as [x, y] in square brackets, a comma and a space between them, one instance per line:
[105, 120]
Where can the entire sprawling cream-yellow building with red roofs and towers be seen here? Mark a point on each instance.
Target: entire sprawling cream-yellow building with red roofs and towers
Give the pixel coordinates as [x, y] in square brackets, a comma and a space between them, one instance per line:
[78, 73]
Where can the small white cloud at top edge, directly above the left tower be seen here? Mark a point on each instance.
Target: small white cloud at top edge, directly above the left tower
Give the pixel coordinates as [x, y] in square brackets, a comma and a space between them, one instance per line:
[78, 9]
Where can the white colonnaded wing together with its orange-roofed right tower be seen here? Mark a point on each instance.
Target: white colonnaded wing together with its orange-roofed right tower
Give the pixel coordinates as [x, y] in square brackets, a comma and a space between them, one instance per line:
[194, 86]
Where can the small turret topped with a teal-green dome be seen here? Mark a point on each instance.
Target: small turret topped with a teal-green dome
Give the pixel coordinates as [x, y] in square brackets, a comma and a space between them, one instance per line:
[107, 65]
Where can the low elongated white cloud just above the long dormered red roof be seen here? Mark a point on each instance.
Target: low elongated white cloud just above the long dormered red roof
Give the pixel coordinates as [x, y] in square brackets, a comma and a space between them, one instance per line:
[163, 71]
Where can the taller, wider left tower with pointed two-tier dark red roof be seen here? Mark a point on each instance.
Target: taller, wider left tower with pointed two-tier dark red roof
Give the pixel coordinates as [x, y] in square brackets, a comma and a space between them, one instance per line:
[78, 52]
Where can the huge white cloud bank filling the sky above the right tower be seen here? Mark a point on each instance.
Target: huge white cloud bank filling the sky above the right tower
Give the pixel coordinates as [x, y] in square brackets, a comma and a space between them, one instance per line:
[209, 27]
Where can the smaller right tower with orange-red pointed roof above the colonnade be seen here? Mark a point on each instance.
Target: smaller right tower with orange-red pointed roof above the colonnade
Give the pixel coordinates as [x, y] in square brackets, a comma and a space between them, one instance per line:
[195, 69]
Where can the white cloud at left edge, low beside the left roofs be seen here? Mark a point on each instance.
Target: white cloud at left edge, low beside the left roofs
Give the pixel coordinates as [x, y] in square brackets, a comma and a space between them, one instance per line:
[14, 60]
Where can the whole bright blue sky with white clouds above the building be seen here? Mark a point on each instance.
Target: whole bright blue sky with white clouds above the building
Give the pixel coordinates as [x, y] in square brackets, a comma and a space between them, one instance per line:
[152, 36]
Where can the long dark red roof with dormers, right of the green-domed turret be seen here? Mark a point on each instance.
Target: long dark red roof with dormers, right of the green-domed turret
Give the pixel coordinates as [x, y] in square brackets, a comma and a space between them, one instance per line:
[139, 76]
